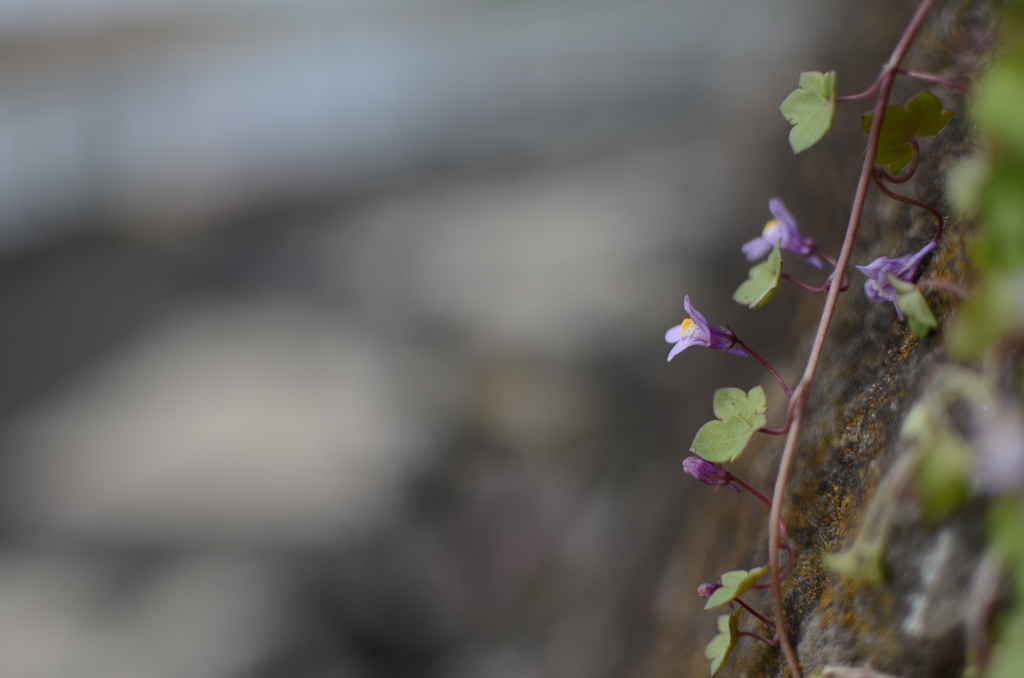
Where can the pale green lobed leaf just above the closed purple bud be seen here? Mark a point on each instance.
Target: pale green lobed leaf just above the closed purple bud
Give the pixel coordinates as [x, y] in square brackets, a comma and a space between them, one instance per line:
[740, 416]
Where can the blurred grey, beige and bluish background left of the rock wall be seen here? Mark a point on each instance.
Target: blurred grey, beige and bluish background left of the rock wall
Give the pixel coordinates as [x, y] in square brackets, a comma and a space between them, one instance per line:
[331, 330]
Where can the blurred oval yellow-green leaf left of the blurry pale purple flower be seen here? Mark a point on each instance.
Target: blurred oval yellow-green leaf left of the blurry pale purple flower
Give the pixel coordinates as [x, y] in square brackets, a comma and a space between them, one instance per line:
[944, 475]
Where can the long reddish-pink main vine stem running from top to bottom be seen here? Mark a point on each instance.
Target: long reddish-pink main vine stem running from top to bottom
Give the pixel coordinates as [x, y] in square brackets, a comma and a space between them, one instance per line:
[799, 398]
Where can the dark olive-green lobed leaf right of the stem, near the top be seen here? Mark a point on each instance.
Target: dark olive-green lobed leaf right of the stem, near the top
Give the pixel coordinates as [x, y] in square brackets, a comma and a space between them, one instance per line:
[923, 116]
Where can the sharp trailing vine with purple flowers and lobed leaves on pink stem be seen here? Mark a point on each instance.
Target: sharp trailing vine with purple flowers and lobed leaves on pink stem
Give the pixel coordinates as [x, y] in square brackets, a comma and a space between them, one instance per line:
[892, 157]
